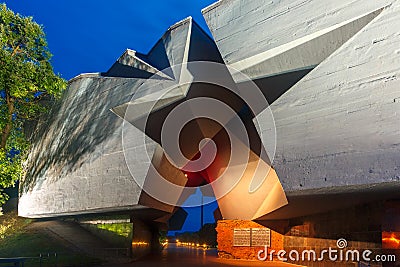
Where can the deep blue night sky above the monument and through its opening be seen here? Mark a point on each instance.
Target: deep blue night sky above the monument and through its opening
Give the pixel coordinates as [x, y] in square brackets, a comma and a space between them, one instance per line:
[89, 36]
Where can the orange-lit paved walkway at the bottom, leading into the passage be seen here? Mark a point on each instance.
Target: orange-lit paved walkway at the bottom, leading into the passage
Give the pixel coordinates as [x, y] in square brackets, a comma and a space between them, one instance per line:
[193, 257]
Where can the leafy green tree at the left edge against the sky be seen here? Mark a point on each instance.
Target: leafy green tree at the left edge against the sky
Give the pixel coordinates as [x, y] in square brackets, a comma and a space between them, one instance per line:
[27, 83]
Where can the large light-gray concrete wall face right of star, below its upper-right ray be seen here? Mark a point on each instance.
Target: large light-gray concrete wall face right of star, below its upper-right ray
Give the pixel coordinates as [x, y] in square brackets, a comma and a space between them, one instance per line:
[340, 124]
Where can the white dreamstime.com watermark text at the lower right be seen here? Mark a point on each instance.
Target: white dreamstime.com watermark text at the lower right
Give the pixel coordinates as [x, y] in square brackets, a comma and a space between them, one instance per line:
[338, 254]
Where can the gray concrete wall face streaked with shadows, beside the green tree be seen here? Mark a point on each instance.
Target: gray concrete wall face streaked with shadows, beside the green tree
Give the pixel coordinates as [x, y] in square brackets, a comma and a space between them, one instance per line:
[77, 164]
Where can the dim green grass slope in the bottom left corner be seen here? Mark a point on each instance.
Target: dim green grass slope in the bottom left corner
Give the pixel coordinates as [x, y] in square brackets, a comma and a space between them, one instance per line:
[18, 240]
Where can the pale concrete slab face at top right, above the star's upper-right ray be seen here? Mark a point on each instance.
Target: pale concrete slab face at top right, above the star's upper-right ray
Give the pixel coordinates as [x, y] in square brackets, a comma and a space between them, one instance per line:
[243, 28]
